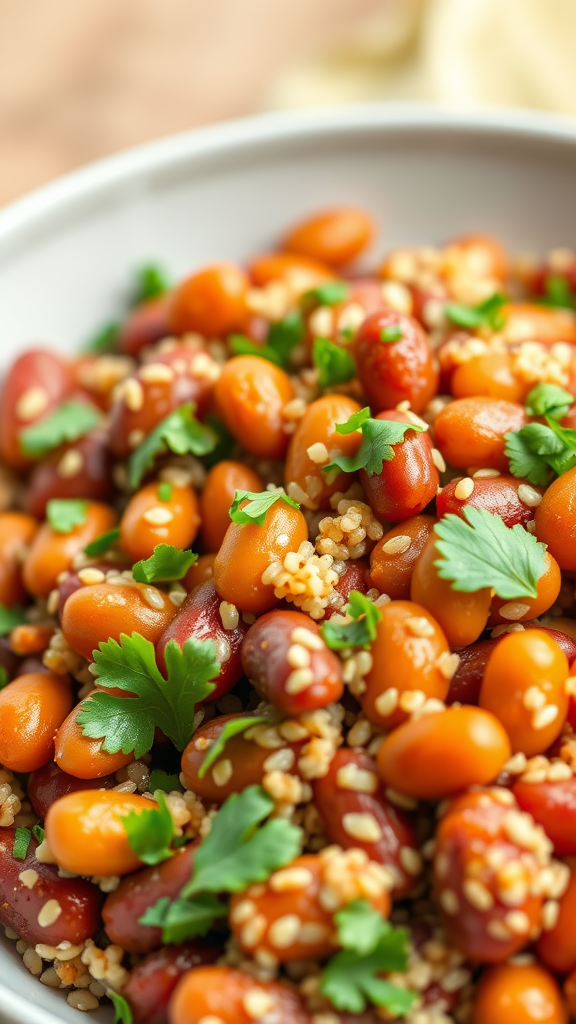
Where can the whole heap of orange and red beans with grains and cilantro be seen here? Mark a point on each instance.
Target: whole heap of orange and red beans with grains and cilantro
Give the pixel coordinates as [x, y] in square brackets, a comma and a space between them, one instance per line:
[287, 605]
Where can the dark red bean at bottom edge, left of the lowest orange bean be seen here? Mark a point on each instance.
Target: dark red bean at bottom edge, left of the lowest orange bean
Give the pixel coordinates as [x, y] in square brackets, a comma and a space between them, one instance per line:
[151, 985]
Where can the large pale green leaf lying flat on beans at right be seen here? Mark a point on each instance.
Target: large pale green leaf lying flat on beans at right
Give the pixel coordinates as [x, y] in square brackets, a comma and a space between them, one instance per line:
[483, 552]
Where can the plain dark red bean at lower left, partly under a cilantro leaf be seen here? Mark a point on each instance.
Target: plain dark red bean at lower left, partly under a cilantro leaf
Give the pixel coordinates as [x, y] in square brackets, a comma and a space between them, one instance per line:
[125, 908]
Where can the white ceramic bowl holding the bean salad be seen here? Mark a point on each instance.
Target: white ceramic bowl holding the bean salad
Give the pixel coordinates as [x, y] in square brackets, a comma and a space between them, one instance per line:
[67, 251]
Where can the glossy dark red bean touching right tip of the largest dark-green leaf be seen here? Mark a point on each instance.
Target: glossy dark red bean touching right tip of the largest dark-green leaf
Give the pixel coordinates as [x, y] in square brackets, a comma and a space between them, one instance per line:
[200, 618]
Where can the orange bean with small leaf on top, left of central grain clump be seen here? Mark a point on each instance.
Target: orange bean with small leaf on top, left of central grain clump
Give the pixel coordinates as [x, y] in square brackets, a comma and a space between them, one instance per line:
[249, 550]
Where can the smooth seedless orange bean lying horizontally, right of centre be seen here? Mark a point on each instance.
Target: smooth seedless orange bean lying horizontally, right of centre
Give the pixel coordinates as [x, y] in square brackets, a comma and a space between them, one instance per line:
[442, 754]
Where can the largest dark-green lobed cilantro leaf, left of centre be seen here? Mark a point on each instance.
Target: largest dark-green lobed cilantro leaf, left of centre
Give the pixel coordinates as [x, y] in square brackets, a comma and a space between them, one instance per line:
[129, 723]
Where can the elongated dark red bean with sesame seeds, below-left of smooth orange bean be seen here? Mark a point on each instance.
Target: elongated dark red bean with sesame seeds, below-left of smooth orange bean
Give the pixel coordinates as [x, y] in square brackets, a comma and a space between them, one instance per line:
[351, 802]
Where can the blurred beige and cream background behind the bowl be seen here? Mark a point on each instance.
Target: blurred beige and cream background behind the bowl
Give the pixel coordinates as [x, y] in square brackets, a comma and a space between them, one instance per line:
[80, 79]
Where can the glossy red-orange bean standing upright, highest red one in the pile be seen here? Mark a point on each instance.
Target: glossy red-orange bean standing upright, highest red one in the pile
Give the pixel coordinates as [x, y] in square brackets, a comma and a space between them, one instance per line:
[392, 372]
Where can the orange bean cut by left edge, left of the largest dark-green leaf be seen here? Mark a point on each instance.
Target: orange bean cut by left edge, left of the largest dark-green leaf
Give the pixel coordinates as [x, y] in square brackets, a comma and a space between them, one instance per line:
[32, 708]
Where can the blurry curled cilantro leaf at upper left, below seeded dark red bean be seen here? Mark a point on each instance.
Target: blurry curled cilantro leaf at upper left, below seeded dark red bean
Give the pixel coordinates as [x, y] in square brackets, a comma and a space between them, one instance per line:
[180, 433]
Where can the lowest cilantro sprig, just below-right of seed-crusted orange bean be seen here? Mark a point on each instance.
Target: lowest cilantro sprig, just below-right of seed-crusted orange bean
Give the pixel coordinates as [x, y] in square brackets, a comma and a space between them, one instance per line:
[372, 947]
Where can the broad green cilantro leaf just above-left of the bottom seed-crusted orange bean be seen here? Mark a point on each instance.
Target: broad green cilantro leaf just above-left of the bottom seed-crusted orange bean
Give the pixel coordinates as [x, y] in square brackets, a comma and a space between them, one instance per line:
[237, 854]
